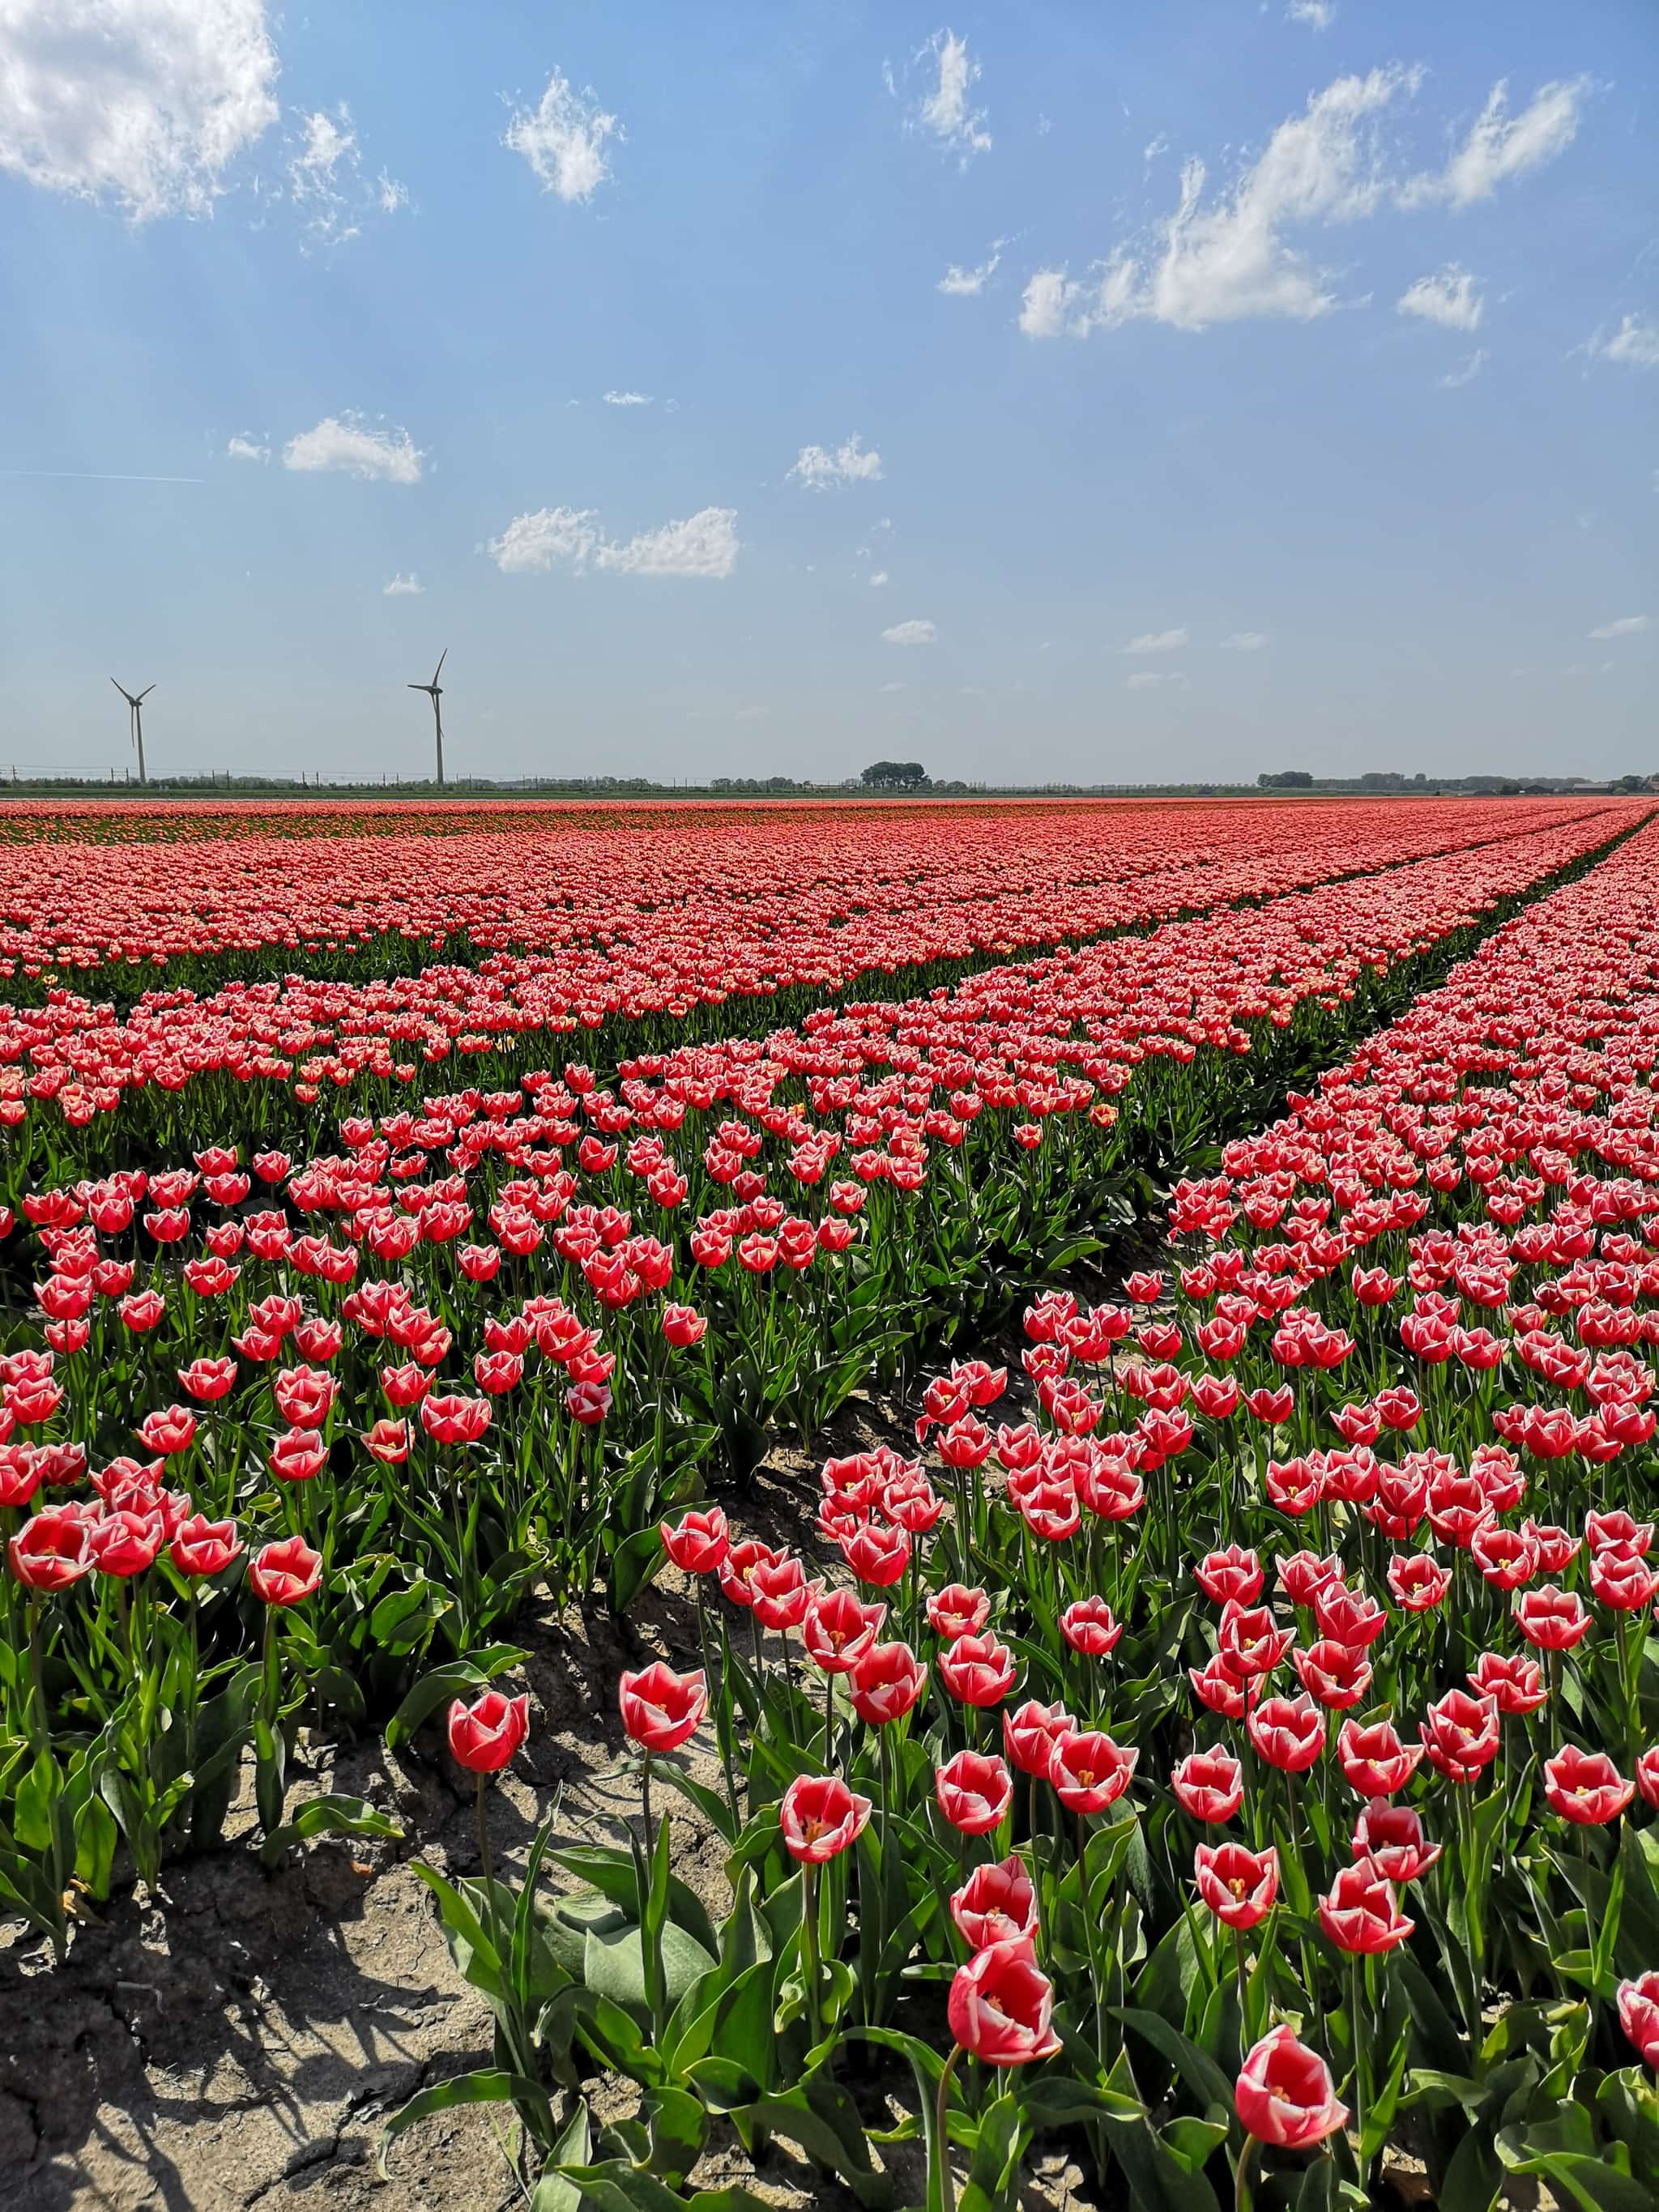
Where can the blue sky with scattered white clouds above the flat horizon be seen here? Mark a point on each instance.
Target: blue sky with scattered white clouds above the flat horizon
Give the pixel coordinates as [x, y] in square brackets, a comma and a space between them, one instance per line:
[1295, 399]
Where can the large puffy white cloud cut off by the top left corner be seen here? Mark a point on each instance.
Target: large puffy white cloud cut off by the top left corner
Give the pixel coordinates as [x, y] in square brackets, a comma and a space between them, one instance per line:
[138, 103]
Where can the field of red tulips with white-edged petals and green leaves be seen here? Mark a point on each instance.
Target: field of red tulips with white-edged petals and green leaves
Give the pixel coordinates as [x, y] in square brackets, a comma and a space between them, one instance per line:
[1081, 1377]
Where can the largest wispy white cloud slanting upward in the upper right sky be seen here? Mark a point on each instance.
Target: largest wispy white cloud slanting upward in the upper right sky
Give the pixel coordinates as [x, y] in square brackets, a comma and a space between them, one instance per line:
[1229, 260]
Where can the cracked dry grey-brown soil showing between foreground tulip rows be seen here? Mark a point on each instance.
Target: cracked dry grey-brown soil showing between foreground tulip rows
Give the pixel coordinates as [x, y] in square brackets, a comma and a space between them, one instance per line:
[242, 2043]
